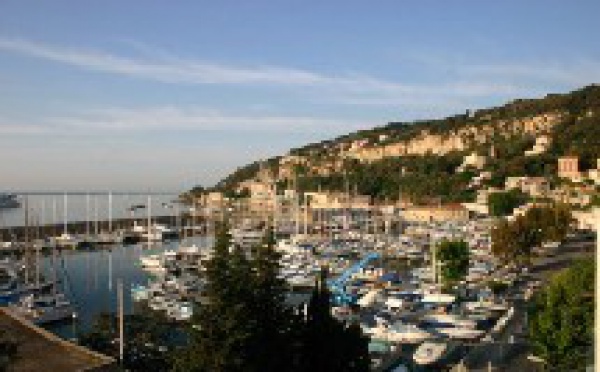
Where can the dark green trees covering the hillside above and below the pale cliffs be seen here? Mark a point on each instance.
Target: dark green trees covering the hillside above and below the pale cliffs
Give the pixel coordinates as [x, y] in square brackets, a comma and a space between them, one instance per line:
[430, 176]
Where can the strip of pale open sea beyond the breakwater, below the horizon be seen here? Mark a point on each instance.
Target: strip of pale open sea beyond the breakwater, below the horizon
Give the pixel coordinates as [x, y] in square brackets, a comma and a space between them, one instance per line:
[50, 208]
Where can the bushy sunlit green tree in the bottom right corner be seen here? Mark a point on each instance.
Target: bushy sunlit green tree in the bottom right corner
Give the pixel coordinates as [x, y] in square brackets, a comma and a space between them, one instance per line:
[562, 318]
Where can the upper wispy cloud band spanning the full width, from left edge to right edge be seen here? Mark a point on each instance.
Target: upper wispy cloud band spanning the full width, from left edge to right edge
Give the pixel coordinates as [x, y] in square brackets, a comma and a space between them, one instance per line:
[467, 80]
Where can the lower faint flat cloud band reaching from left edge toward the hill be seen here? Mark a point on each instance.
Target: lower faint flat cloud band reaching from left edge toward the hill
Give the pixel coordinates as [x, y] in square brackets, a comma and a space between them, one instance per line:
[114, 120]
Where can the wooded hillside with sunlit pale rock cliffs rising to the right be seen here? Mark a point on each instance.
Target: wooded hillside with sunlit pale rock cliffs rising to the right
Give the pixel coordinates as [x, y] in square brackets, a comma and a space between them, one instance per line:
[419, 159]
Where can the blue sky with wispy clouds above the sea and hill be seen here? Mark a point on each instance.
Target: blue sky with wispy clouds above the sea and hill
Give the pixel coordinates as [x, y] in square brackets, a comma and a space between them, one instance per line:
[148, 95]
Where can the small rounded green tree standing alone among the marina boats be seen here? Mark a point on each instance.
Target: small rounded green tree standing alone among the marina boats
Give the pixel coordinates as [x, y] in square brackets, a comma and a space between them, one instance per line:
[454, 256]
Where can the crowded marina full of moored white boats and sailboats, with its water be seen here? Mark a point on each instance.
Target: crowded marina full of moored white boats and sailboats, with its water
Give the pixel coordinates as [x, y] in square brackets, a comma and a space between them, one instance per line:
[390, 283]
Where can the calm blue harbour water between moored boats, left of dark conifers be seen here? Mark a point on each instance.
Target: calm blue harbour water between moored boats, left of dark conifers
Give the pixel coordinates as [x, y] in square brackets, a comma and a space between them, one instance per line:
[90, 280]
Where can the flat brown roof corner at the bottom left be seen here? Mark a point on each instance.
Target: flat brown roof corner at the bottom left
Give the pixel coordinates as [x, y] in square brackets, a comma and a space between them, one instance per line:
[39, 350]
